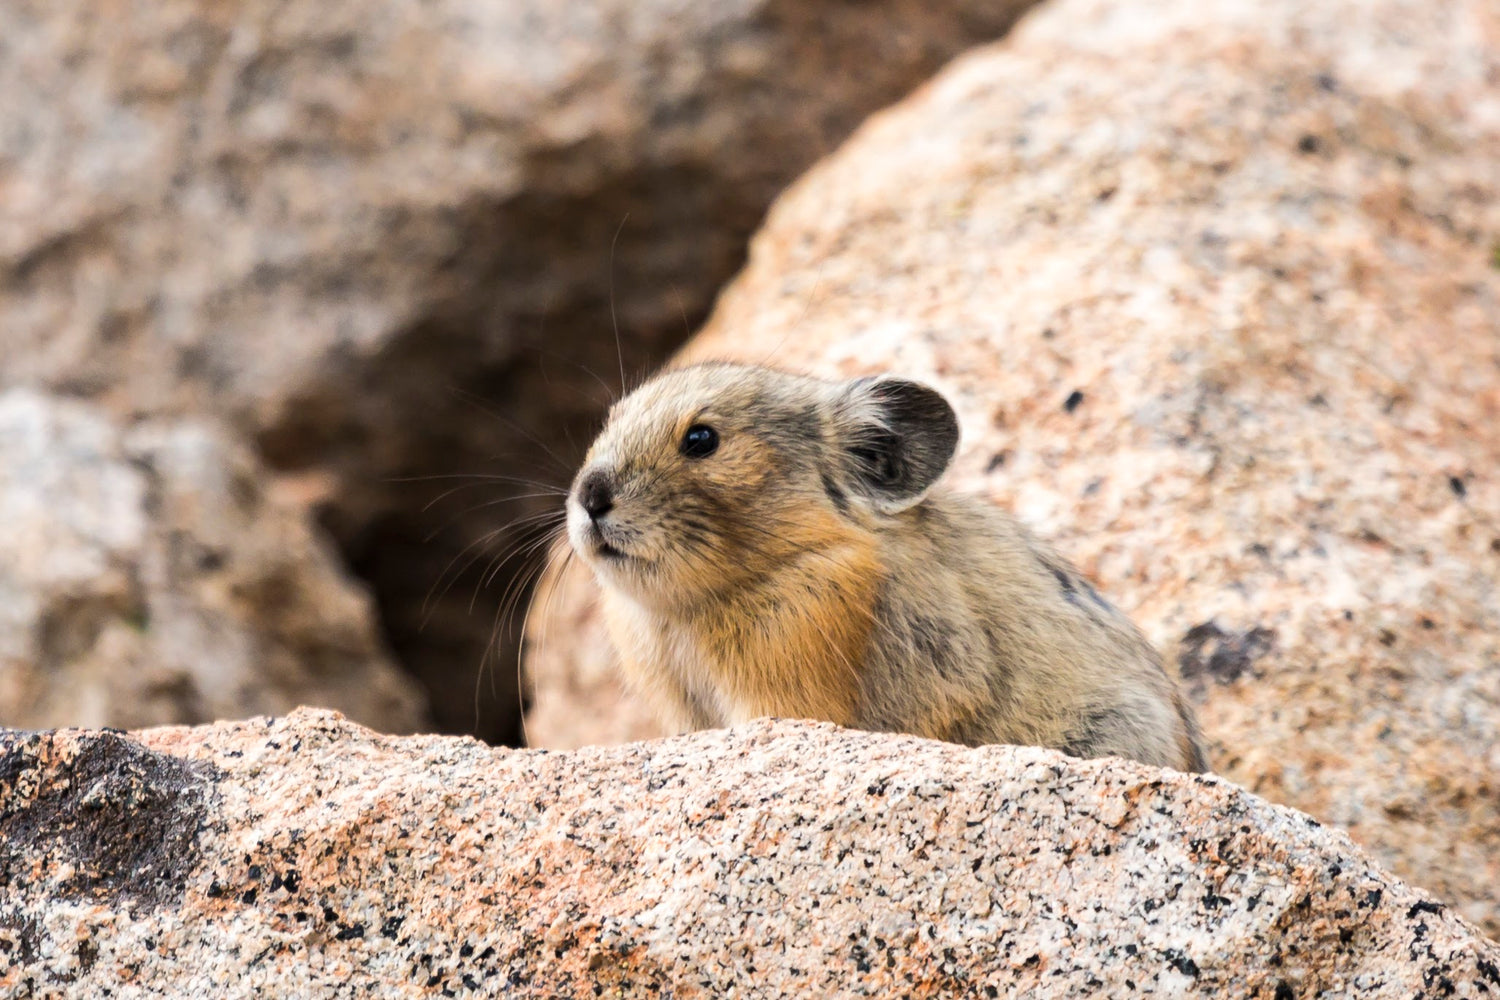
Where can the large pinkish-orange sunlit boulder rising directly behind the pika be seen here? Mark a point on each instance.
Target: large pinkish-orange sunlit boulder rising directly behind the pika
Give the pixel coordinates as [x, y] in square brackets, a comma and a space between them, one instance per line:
[1214, 287]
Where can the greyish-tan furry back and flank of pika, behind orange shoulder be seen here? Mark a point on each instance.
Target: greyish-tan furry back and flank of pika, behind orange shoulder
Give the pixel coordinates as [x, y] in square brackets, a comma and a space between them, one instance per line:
[1009, 644]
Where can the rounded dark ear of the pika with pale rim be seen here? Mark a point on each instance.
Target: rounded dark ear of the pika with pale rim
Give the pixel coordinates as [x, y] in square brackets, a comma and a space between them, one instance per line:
[896, 439]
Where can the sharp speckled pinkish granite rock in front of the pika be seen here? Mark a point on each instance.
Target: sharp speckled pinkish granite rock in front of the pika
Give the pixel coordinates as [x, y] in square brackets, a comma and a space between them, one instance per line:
[307, 857]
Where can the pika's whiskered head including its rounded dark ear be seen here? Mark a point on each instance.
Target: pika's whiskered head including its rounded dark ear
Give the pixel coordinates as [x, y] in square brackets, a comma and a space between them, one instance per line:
[715, 475]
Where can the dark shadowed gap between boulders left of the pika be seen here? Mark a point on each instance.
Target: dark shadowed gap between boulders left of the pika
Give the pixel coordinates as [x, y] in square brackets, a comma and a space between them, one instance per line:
[463, 436]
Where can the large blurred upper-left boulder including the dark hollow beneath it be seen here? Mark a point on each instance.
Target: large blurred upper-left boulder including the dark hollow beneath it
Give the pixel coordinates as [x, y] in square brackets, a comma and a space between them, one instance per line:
[358, 226]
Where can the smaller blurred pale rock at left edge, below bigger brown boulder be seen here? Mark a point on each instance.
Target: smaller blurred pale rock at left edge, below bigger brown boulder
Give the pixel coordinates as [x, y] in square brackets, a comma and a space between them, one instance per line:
[146, 575]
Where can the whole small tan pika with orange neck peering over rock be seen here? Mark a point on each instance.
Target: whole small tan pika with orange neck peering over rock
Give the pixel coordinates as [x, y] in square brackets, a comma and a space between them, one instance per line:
[779, 545]
